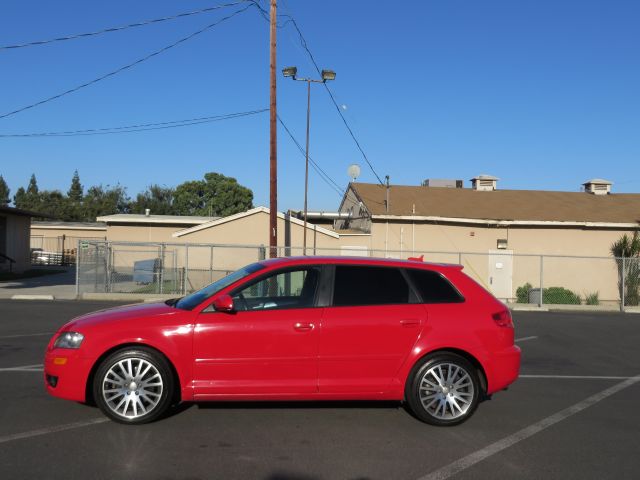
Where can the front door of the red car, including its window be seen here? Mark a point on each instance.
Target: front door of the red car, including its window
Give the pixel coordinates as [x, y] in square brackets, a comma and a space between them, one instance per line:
[268, 345]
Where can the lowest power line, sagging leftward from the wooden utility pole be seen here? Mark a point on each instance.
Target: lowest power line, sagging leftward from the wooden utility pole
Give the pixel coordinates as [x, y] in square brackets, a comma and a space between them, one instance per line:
[136, 128]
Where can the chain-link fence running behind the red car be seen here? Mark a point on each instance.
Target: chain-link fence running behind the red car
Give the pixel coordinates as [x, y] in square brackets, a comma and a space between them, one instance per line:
[178, 268]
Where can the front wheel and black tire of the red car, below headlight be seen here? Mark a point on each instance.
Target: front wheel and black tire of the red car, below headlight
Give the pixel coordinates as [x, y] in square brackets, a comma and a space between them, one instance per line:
[148, 399]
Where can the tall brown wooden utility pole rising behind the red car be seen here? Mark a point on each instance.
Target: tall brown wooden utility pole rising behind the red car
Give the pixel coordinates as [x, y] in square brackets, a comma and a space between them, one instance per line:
[273, 151]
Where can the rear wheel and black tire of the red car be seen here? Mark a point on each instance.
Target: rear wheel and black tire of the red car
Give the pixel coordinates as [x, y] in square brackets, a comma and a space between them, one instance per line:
[462, 390]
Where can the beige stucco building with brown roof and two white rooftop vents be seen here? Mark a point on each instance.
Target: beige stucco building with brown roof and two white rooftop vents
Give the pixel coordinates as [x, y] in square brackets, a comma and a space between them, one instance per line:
[500, 235]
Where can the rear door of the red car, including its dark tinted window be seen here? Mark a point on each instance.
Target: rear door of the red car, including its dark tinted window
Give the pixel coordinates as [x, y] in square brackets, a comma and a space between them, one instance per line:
[368, 330]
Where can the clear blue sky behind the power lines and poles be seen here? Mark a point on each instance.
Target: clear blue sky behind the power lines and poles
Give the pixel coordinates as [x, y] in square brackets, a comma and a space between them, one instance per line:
[542, 94]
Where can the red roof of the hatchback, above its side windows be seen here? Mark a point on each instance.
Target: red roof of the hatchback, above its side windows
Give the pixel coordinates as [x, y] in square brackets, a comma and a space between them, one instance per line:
[365, 261]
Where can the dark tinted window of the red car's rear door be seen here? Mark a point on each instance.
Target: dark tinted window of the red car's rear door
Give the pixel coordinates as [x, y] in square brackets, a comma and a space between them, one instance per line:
[362, 285]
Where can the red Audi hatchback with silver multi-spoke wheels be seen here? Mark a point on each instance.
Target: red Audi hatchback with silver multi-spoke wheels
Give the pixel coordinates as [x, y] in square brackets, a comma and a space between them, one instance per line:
[305, 328]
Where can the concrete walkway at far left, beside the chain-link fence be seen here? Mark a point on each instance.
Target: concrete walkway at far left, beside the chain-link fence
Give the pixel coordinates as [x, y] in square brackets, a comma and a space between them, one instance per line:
[59, 285]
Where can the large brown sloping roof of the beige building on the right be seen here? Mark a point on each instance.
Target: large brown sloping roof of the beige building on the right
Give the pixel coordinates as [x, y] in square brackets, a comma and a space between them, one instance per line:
[526, 206]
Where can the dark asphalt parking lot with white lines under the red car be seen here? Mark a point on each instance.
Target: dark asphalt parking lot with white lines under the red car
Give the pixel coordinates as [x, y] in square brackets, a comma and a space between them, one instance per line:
[572, 414]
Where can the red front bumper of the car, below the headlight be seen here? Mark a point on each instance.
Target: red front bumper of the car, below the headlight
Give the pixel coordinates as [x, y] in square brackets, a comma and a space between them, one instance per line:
[66, 374]
